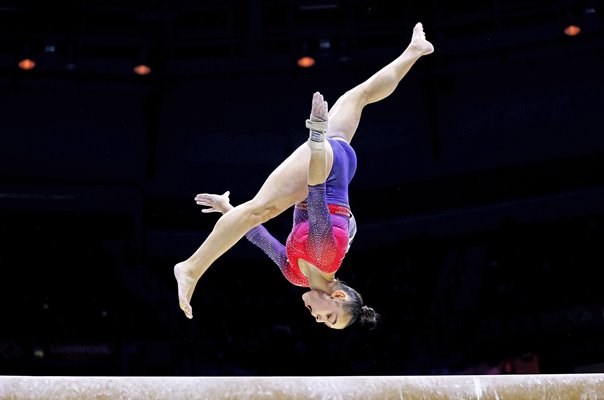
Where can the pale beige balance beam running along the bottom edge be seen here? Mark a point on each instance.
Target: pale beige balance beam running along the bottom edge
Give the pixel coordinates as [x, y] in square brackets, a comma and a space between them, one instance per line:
[458, 387]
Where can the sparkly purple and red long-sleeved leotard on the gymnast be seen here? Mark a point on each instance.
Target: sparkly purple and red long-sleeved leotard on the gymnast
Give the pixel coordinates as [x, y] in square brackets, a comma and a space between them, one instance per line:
[320, 234]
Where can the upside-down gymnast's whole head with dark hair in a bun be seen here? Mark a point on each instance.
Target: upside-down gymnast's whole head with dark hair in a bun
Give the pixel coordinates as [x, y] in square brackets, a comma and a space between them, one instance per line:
[340, 308]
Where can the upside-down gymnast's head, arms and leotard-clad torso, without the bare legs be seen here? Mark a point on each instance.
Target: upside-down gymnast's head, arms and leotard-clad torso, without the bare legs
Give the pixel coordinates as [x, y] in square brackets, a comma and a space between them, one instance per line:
[322, 229]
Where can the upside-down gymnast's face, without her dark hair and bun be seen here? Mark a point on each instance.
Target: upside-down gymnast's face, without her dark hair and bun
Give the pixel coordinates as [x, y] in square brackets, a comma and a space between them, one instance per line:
[327, 308]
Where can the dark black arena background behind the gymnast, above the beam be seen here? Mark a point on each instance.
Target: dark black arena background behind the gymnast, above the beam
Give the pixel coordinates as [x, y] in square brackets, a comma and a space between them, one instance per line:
[479, 194]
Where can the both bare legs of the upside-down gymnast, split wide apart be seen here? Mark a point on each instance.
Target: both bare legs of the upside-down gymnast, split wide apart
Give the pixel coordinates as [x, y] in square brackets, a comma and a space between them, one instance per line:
[287, 184]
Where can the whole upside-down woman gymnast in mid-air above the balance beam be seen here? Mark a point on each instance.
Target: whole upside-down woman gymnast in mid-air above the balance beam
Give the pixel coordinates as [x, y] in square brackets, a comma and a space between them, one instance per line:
[314, 179]
